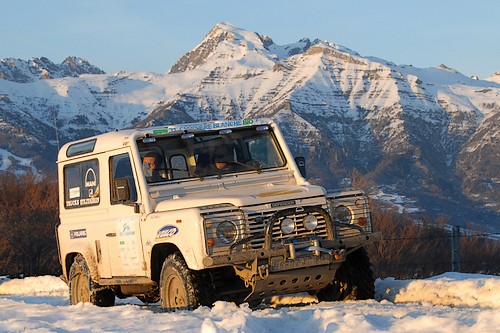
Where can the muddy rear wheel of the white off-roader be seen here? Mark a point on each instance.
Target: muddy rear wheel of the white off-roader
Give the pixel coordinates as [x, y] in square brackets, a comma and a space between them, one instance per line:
[83, 289]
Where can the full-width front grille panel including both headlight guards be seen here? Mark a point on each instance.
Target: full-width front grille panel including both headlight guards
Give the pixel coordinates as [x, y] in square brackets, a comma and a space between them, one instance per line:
[347, 214]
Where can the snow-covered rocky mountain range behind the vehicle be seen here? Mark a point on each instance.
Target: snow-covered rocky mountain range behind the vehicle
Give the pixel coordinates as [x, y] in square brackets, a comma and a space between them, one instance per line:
[427, 134]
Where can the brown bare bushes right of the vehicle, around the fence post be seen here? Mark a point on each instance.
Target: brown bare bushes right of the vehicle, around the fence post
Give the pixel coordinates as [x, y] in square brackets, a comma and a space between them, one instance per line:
[420, 248]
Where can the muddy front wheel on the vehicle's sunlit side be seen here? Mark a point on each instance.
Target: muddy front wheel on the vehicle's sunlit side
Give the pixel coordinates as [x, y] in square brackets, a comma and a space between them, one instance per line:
[179, 286]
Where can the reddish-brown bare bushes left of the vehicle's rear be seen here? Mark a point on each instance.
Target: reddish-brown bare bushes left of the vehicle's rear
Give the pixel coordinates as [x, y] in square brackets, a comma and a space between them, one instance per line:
[28, 215]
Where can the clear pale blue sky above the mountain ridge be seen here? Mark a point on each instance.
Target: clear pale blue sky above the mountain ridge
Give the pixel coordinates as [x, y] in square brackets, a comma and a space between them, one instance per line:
[152, 35]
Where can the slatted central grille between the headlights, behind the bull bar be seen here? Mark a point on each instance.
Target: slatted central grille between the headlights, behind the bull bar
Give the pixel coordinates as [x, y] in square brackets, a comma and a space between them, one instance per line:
[257, 221]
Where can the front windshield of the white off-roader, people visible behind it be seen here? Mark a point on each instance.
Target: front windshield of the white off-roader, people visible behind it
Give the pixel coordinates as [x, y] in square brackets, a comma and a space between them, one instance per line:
[205, 154]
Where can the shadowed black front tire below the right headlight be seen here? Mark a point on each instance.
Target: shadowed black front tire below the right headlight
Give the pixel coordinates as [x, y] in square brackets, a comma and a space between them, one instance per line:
[353, 280]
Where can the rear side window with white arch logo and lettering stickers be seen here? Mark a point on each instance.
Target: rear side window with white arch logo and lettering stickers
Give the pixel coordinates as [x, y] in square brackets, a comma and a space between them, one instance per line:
[81, 184]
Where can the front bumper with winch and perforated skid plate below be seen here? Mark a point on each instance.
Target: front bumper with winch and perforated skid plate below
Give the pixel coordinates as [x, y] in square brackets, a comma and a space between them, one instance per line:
[291, 267]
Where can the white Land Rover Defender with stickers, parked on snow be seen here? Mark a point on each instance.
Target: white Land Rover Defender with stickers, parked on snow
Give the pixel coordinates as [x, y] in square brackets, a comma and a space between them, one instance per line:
[194, 213]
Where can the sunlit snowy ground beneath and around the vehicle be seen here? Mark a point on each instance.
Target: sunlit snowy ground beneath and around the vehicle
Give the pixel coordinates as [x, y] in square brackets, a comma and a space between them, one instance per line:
[450, 302]
